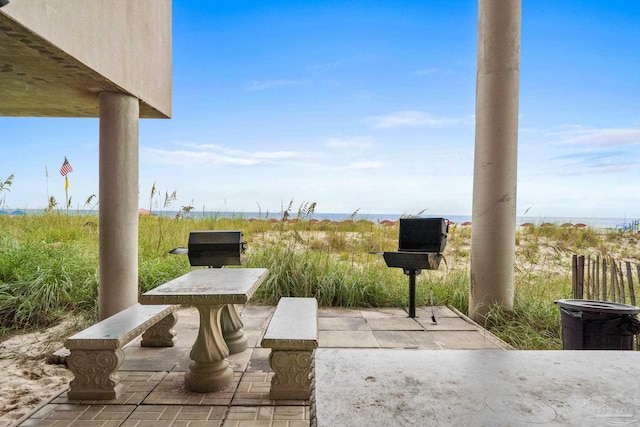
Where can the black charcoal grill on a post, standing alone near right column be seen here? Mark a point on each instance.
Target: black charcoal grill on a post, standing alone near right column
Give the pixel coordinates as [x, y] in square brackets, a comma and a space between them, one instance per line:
[420, 245]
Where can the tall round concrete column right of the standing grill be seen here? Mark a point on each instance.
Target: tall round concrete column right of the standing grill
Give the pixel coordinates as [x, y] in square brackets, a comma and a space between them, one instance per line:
[495, 163]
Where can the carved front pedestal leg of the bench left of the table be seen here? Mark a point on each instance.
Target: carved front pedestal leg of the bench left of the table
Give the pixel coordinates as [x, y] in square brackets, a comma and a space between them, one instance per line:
[95, 372]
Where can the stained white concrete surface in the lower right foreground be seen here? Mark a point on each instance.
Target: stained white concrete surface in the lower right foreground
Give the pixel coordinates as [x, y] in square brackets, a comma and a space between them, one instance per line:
[364, 387]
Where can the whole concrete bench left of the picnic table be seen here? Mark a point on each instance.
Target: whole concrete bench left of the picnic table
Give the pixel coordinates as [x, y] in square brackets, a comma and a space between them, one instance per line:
[96, 352]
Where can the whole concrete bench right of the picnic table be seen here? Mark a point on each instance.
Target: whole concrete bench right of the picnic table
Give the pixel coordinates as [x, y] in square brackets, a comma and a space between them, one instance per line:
[292, 335]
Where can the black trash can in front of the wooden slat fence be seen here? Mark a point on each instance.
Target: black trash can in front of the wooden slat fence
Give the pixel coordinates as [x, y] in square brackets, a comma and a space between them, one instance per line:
[598, 325]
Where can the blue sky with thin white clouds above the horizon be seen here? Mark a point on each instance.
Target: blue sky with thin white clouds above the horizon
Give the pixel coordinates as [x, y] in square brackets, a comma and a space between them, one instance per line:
[365, 106]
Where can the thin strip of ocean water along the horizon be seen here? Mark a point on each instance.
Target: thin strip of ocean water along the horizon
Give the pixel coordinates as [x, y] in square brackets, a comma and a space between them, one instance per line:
[375, 217]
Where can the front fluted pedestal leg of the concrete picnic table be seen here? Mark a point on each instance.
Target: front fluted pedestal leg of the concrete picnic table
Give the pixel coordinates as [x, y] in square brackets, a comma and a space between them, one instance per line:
[210, 369]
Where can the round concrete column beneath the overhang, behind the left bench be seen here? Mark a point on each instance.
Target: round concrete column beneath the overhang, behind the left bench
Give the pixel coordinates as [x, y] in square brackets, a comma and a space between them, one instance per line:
[118, 198]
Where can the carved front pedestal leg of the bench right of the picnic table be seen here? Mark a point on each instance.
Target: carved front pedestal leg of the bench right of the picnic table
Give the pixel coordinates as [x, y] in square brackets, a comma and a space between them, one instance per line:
[292, 371]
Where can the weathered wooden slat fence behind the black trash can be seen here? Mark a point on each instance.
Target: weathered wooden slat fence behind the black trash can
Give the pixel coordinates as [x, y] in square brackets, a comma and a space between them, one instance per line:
[605, 279]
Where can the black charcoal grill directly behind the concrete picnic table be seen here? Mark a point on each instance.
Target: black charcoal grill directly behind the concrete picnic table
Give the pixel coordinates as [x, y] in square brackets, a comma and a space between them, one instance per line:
[214, 248]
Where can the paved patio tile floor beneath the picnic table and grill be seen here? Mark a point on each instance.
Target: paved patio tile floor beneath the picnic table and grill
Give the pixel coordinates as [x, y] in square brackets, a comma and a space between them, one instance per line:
[158, 398]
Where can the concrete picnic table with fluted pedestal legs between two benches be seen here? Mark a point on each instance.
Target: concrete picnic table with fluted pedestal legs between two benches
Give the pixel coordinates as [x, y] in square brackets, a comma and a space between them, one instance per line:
[213, 291]
